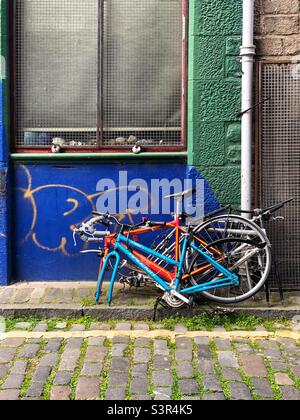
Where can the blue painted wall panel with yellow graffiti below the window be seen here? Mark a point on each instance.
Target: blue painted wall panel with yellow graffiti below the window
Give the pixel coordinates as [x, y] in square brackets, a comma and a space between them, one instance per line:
[49, 200]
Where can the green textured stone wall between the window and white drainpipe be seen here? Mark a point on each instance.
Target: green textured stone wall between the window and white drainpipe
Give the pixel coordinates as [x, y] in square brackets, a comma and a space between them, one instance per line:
[215, 94]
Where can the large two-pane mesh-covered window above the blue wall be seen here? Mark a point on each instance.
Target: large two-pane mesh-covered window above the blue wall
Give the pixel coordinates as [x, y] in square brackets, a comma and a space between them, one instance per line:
[99, 74]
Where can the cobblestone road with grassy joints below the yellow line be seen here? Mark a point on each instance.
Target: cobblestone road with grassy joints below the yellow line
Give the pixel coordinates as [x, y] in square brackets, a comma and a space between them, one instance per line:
[144, 368]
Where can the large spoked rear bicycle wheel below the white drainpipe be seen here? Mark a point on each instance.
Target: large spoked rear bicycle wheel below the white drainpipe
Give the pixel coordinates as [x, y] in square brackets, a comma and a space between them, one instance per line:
[240, 246]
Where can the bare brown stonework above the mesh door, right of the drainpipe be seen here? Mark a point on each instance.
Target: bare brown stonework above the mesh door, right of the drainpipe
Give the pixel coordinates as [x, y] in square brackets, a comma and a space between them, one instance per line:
[277, 28]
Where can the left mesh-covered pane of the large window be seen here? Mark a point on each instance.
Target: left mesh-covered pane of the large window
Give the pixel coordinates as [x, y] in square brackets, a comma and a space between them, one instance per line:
[56, 70]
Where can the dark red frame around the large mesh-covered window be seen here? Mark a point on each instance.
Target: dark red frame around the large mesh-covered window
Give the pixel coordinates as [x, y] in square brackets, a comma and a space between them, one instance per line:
[99, 148]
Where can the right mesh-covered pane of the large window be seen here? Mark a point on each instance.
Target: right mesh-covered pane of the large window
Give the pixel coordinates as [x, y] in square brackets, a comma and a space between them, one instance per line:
[142, 70]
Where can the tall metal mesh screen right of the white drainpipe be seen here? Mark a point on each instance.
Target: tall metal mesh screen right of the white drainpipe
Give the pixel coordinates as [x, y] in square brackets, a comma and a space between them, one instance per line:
[281, 163]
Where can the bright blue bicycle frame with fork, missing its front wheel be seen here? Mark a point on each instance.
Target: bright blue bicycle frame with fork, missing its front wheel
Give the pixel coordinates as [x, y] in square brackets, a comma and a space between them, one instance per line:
[121, 246]
